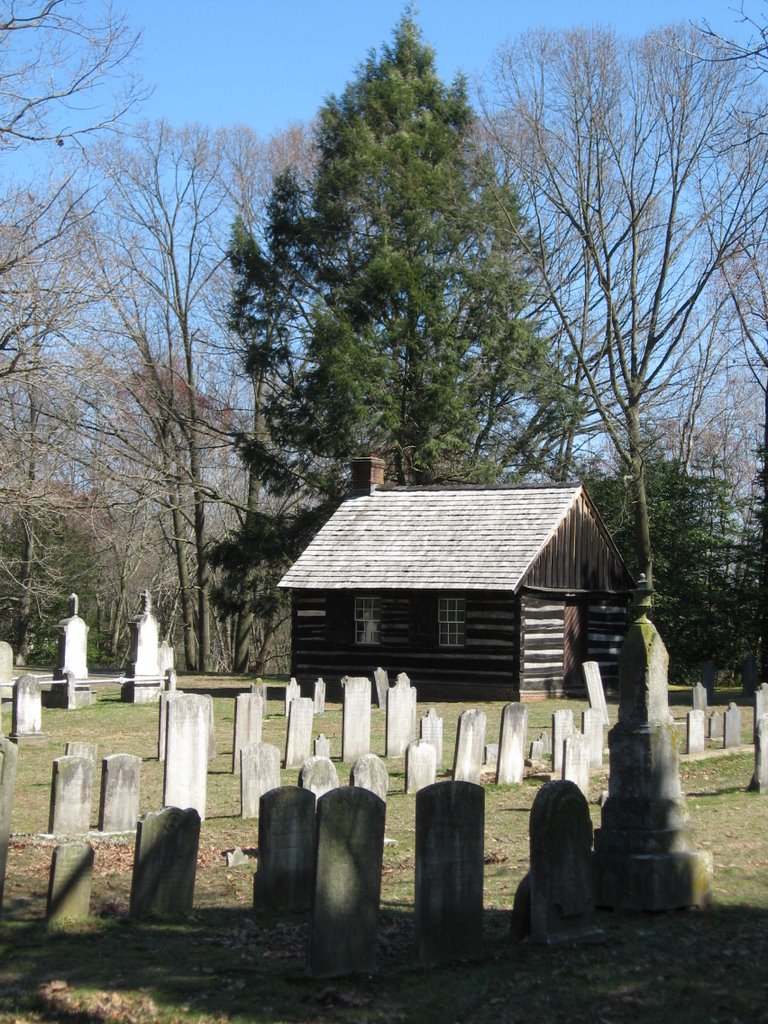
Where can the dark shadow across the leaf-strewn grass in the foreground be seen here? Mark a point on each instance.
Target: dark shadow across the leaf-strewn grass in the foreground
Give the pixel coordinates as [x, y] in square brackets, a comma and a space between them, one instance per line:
[232, 965]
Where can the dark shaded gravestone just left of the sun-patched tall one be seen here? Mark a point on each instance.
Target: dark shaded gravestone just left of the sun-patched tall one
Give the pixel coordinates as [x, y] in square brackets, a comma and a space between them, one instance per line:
[284, 878]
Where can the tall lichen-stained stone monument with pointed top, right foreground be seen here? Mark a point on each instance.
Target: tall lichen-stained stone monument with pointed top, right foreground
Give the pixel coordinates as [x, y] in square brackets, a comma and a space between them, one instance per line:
[645, 857]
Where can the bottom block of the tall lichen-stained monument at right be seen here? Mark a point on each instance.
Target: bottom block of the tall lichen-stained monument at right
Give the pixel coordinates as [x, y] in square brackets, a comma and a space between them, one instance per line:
[653, 882]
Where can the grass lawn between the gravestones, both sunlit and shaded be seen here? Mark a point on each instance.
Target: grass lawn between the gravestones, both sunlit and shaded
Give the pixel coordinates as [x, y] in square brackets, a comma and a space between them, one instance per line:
[229, 965]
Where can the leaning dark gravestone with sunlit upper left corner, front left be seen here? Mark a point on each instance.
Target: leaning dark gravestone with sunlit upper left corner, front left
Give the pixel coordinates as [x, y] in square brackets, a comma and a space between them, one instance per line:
[165, 864]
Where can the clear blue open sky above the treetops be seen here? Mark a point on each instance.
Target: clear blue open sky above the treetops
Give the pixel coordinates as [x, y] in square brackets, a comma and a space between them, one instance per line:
[269, 63]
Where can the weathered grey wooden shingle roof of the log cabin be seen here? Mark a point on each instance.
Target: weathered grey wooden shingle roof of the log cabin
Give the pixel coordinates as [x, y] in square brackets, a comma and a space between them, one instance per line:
[434, 539]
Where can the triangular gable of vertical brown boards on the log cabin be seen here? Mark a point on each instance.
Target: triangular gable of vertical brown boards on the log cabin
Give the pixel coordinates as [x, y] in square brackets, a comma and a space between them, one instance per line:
[579, 557]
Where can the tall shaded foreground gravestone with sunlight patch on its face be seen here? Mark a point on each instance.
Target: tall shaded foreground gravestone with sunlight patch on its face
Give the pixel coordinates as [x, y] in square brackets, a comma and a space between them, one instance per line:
[347, 883]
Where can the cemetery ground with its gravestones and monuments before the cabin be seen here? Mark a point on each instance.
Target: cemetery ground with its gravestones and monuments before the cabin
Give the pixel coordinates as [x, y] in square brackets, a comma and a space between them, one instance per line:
[240, 850]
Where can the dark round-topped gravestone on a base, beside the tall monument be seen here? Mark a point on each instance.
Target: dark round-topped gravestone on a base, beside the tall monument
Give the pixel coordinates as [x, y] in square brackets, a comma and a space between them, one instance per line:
[557, 897]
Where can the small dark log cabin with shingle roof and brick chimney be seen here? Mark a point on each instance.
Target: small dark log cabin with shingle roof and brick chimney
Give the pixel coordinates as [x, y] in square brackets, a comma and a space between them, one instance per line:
[475, 592]
